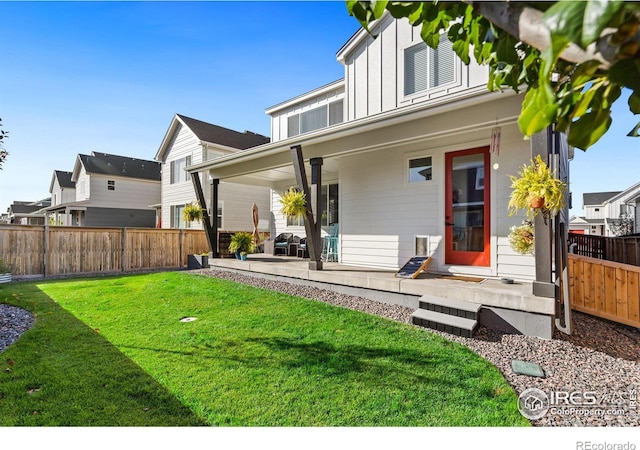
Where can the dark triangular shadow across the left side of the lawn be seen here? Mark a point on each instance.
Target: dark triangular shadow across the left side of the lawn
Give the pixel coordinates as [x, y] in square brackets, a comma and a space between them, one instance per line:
[63, 373]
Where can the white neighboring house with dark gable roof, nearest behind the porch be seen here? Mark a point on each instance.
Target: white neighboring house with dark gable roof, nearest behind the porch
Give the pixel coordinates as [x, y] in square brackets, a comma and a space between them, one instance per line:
[189, 141]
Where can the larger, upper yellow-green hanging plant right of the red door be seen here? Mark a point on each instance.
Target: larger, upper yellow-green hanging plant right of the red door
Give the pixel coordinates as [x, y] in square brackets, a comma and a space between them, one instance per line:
[536, 190]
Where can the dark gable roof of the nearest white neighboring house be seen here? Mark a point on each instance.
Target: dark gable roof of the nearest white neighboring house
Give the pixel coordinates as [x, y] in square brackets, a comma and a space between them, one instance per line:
[212, 134]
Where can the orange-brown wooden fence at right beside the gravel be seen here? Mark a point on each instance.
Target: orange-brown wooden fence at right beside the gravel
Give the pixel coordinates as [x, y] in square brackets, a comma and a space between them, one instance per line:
[605, 289]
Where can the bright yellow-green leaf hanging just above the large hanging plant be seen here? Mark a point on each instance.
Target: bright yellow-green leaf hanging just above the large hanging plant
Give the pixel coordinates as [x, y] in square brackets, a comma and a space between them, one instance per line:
[538, 110]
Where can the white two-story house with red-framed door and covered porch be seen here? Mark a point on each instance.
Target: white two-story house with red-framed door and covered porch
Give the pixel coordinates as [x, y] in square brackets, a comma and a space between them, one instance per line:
[415, 157]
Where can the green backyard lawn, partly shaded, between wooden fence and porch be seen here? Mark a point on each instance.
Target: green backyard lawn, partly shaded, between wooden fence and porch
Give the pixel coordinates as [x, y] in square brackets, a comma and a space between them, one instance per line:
[112, 351]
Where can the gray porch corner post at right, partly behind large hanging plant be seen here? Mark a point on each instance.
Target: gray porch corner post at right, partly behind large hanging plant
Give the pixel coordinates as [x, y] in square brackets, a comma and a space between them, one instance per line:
[543, 286]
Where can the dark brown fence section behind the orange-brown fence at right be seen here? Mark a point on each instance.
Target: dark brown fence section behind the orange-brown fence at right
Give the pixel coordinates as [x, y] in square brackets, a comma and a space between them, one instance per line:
[624, 249]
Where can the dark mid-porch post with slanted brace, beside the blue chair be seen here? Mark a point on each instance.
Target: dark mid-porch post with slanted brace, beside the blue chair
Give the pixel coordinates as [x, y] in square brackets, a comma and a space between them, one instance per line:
[312, 227]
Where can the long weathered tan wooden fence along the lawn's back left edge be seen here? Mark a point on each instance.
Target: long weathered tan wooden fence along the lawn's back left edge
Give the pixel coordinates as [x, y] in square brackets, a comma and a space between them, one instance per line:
[48, 251]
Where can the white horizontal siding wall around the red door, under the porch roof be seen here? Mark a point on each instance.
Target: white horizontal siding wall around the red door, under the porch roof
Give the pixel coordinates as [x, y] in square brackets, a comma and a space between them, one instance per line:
[381, 213]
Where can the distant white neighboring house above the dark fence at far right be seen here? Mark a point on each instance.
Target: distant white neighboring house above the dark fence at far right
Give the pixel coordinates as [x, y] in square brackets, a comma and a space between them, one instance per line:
[604, 210]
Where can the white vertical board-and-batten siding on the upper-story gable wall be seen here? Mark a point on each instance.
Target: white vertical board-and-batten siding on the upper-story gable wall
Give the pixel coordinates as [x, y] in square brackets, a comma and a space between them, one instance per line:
[373, 86]
